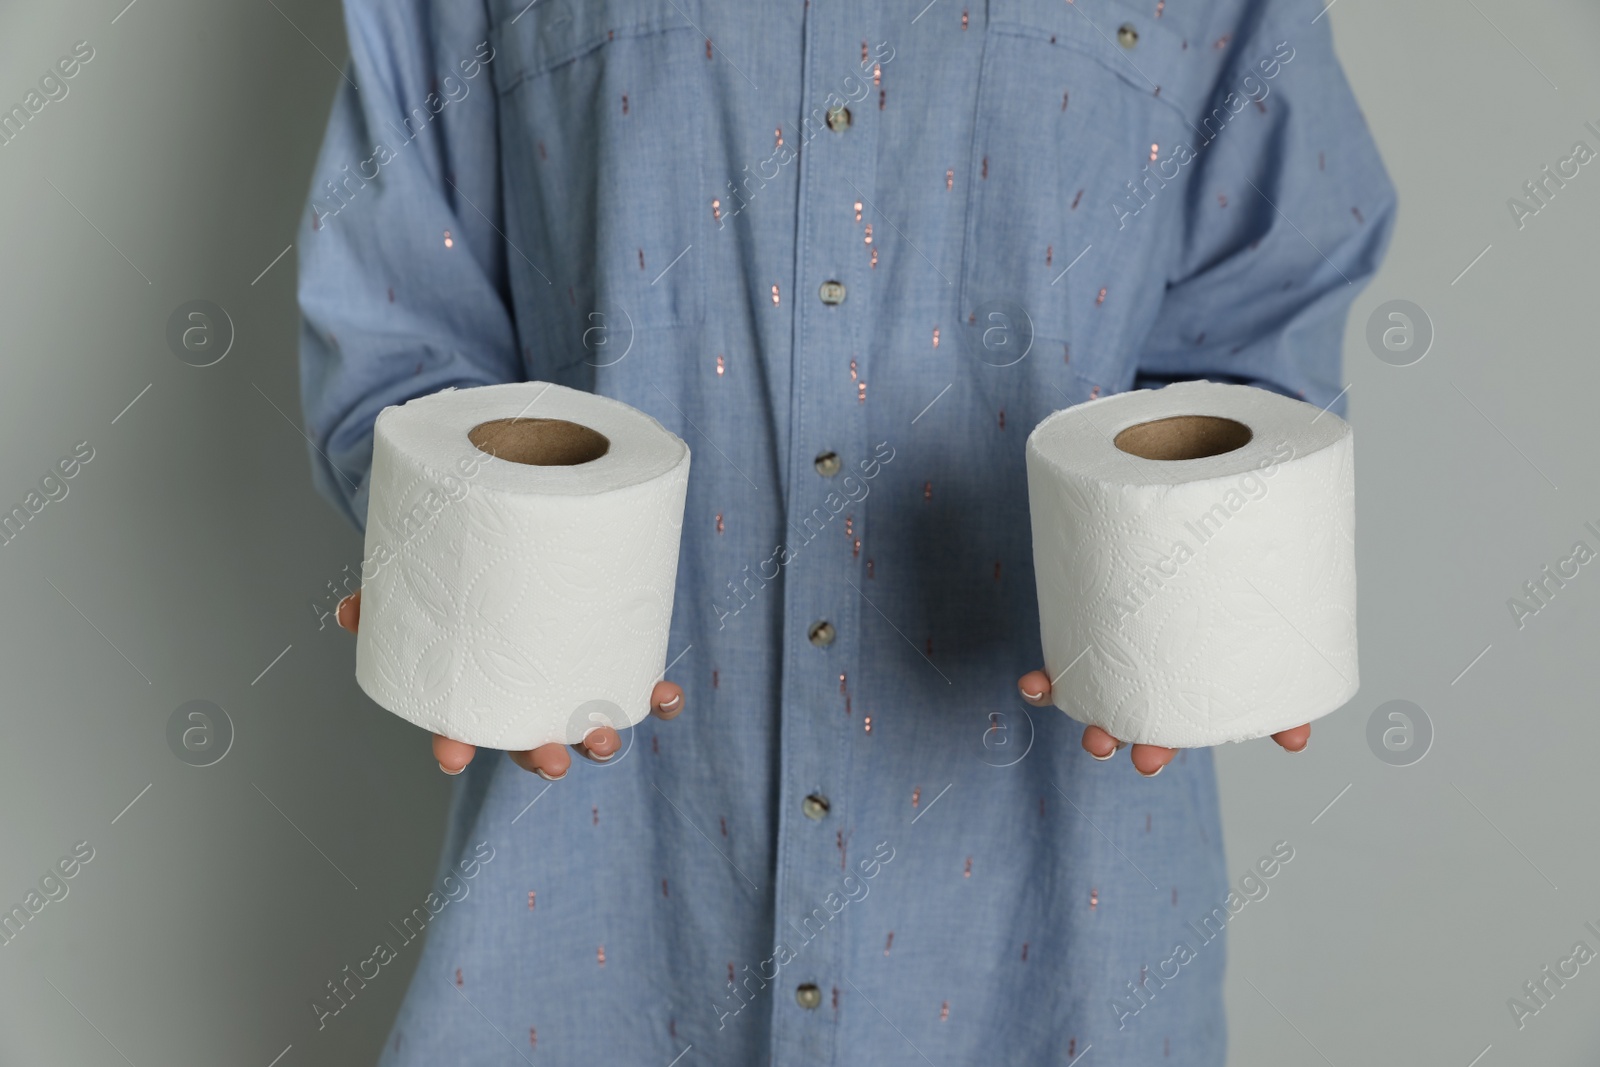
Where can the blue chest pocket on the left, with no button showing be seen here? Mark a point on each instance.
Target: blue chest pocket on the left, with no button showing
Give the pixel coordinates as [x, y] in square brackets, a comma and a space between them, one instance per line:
[604, 113]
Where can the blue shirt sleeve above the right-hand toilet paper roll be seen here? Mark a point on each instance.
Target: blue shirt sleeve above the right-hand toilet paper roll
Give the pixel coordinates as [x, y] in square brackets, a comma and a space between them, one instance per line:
[1287, 215]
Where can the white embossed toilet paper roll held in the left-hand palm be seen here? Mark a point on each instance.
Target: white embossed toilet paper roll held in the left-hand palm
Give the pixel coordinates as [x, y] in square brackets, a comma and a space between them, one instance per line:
[522, 548]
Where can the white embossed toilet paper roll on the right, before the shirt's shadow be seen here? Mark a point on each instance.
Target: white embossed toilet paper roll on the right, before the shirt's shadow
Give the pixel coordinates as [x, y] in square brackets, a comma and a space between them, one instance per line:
[1194, 549]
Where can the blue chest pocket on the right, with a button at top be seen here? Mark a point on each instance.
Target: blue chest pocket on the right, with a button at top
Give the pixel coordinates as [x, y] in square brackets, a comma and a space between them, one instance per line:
[1074, 102]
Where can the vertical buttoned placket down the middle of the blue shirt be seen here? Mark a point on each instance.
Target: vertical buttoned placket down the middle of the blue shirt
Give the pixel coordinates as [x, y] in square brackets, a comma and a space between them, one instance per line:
[830, 439]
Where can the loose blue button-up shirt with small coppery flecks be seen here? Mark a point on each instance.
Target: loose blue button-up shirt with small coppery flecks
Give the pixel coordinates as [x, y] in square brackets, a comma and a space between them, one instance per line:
[852, 254]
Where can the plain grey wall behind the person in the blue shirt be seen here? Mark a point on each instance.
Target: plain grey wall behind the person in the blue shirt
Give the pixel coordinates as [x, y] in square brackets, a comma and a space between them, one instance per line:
[186, 556]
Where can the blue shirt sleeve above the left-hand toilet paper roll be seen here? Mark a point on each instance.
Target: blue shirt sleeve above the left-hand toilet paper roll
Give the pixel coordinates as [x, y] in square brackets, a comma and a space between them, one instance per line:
[402, 282]
